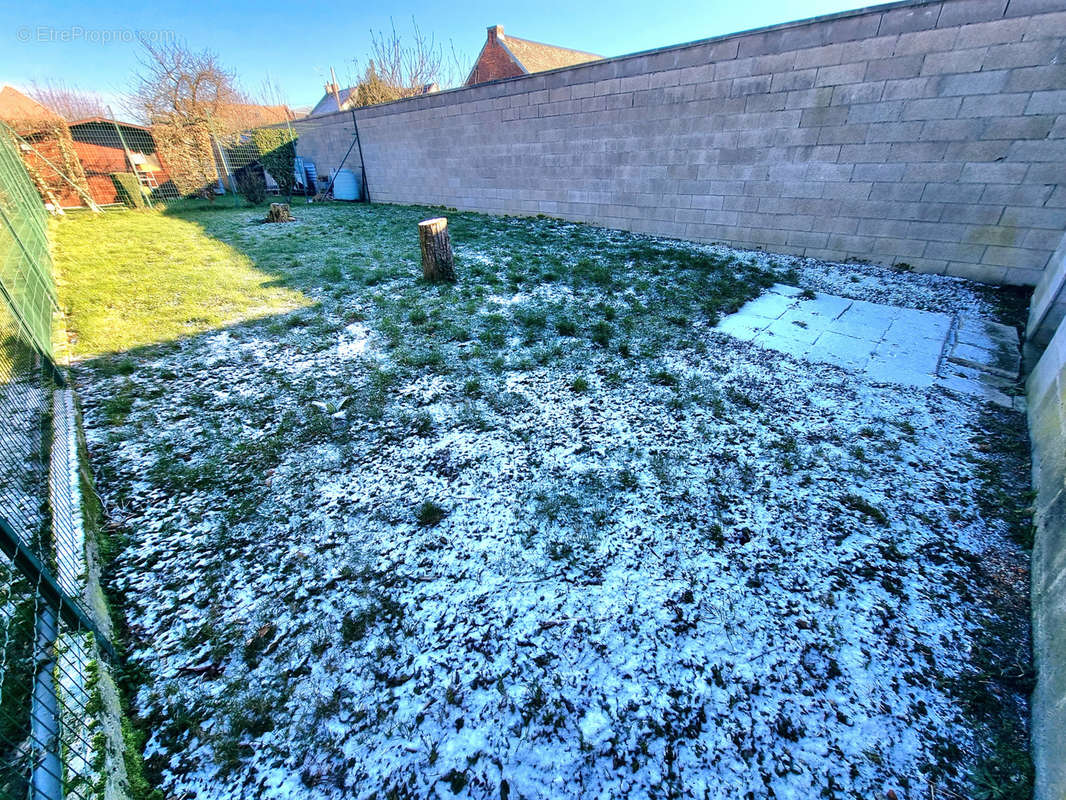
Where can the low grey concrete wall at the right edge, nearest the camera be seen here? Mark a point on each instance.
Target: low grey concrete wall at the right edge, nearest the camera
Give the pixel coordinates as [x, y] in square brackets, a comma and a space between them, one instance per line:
[1047, 424]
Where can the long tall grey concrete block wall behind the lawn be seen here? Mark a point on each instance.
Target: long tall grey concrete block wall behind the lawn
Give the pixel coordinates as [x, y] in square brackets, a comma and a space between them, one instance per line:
[929, 134]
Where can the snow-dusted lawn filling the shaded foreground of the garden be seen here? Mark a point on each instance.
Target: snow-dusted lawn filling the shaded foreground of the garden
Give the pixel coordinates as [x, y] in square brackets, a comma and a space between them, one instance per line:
[368, 559]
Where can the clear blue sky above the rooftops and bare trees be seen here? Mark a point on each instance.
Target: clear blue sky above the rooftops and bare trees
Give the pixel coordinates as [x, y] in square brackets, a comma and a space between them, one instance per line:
[295, 44]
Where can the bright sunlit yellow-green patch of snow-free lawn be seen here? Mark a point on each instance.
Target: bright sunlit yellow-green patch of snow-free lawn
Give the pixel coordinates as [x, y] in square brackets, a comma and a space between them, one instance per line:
[133, 279]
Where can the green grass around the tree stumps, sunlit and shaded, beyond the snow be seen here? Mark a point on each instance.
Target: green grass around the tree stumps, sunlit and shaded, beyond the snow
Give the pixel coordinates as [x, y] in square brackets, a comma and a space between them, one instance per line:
[137, 279]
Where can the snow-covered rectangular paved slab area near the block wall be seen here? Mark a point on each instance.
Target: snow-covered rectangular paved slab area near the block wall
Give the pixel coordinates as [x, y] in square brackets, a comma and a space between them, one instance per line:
[890, 344]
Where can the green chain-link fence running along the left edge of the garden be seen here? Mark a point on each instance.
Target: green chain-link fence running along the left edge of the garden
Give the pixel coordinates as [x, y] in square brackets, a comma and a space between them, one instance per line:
[58, 706]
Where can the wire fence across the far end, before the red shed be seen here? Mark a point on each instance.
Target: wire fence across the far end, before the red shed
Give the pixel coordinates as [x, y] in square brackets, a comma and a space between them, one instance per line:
[101, 163]
